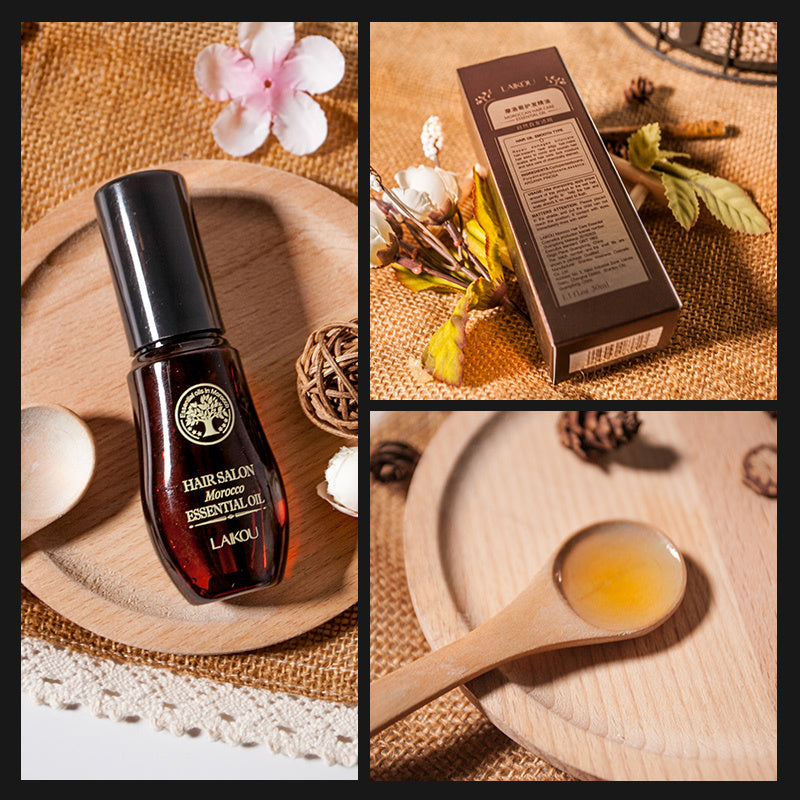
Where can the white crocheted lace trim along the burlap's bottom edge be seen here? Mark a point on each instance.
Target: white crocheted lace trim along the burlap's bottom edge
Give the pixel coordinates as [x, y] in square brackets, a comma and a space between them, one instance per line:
[295, 726]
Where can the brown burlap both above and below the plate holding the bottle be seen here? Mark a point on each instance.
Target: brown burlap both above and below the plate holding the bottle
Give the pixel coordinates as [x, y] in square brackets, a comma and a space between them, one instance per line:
[102, 98]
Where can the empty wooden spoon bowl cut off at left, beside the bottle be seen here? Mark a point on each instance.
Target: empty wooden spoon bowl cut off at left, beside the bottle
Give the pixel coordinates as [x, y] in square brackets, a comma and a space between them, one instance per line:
[57, 462]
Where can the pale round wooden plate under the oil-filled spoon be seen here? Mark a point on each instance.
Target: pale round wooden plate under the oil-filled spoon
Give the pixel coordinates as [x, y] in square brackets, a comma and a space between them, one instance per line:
[496, 493]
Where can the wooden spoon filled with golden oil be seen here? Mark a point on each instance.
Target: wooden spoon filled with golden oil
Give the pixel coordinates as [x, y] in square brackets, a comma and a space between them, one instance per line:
[611, 581]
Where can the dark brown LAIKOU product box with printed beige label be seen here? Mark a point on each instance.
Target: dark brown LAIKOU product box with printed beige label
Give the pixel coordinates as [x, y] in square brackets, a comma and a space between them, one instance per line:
[595, 287]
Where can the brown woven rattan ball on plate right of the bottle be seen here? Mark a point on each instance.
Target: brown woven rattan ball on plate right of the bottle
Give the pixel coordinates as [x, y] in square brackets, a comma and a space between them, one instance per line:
[327, 378]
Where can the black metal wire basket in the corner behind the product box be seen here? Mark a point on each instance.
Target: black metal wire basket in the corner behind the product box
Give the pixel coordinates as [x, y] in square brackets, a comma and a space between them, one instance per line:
[739, 51]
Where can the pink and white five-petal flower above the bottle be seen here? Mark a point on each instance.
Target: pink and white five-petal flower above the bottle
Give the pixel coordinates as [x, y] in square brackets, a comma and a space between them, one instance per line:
[267, 83]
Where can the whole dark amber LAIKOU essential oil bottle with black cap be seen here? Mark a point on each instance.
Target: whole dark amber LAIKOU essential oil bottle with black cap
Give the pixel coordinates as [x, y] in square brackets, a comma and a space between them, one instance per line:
[212, 494]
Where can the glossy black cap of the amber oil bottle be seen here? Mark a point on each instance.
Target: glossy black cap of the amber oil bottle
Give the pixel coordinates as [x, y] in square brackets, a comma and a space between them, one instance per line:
[157, 261]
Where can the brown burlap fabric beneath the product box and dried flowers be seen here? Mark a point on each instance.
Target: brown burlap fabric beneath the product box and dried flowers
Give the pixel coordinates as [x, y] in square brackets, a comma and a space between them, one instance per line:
[725, 346]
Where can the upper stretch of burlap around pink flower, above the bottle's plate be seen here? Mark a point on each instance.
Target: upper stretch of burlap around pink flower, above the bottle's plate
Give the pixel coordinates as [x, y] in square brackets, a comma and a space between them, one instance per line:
[102, 98]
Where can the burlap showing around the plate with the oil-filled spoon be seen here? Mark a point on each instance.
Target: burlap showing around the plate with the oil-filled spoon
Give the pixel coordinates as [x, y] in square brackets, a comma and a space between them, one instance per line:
[448, 739]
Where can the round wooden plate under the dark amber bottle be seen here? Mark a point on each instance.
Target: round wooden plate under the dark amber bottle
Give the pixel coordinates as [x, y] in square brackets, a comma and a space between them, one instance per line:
[282, 252]
